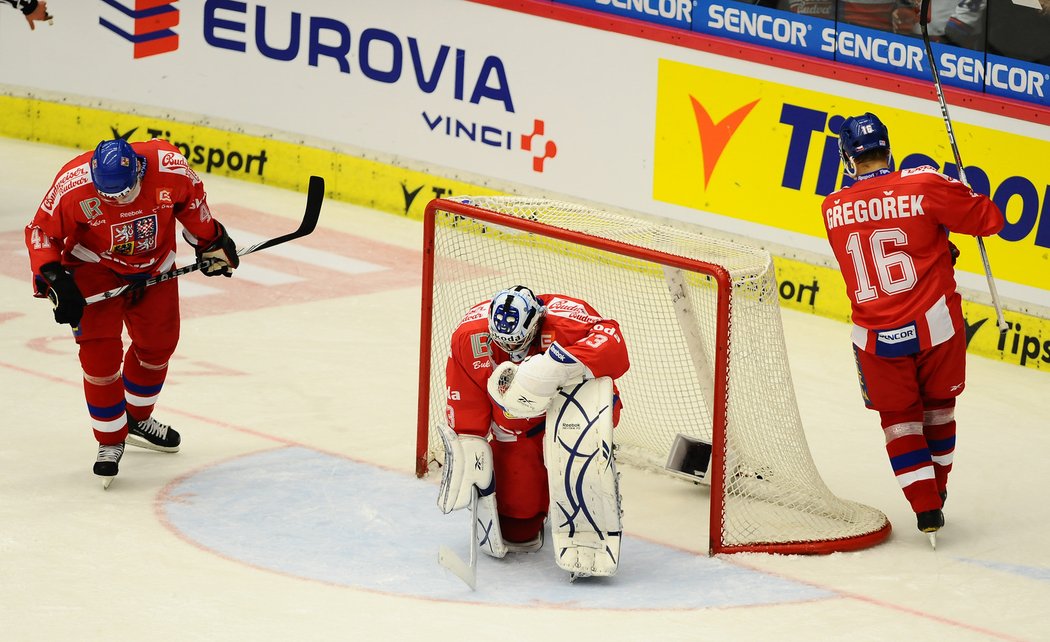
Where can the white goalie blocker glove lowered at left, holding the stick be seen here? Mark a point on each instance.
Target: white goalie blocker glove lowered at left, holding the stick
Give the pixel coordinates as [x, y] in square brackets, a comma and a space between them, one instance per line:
[469, 464]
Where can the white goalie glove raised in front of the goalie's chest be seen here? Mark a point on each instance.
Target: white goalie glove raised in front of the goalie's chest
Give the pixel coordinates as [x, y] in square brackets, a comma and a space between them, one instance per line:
[527, 390]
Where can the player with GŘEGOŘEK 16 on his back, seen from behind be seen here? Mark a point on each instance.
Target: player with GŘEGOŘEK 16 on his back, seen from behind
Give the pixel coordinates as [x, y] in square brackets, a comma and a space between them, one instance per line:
[890, 234]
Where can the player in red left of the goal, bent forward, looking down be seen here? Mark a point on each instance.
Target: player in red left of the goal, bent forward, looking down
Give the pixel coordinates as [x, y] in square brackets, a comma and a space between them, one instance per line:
[110, 220]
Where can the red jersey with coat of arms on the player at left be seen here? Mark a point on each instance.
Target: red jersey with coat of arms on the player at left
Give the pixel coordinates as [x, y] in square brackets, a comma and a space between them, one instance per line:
[74, 225]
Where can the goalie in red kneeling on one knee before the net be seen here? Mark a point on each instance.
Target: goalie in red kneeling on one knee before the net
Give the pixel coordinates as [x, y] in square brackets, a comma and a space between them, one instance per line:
[532, 406]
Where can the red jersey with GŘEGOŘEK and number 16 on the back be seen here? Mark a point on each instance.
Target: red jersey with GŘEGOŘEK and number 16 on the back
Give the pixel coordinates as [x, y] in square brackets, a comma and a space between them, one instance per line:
[890, 236]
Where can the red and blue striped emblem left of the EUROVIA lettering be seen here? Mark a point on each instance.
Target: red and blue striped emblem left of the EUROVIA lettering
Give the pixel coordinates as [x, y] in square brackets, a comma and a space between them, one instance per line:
[148, 30]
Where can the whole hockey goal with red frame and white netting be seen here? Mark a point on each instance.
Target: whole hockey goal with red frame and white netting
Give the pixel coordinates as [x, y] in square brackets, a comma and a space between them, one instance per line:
[702, 322]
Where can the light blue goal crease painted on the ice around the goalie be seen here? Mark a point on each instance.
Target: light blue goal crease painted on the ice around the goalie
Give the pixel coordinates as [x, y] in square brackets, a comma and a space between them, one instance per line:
[304, 513]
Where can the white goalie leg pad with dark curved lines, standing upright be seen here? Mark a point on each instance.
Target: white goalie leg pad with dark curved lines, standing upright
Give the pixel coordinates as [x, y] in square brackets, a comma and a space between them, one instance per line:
[585, 502]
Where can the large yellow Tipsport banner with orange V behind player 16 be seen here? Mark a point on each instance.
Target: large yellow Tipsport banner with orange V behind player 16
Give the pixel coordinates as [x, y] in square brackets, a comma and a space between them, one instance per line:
[768, 153]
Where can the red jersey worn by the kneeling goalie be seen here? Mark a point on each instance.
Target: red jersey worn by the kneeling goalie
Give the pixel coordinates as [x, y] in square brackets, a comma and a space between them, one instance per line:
[596, 342]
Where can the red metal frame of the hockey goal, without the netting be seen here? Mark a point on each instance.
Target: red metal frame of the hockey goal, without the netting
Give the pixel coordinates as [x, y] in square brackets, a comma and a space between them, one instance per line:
[722, 364]
